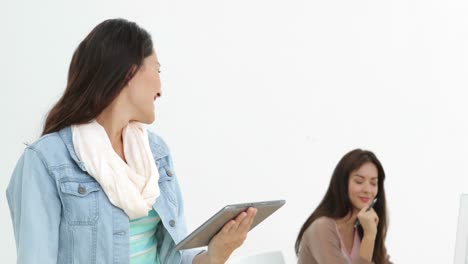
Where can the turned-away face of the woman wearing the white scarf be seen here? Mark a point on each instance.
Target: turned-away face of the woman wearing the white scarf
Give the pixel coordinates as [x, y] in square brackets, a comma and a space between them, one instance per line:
[143, 89]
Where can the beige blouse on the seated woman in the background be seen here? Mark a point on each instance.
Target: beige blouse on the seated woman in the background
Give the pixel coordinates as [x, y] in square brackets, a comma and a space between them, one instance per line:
[321, 244]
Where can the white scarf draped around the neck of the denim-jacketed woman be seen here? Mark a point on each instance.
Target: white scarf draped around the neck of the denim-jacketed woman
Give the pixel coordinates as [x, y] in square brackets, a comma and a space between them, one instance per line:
[131, 186]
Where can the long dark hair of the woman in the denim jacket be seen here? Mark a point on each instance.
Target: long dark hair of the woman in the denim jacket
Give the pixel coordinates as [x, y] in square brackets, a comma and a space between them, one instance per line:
[100, 67]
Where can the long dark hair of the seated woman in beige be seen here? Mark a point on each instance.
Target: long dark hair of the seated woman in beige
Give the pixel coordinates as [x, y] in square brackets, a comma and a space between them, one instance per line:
[336, 203]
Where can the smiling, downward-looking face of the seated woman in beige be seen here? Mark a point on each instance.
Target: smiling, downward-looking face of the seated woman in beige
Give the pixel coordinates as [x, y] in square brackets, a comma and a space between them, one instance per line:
[362, 186]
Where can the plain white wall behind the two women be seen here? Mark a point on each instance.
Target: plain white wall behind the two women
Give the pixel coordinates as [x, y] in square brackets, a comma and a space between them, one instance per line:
[262, 98]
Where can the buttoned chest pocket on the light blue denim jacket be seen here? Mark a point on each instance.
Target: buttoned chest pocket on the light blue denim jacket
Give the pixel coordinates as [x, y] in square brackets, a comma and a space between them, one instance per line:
[80, 202]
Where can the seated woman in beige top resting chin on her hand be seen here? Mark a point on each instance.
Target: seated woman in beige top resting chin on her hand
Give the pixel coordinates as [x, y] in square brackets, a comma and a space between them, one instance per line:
[330, 235]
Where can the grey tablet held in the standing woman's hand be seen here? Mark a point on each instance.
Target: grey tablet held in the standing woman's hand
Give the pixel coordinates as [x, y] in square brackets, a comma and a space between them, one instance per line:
[203, 234]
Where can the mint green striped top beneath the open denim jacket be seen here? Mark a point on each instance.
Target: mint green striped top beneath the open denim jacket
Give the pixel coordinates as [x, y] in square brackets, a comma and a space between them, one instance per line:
[143, 244]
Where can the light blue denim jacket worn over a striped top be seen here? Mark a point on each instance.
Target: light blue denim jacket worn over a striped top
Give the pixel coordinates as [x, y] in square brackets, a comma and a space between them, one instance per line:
[61, 214]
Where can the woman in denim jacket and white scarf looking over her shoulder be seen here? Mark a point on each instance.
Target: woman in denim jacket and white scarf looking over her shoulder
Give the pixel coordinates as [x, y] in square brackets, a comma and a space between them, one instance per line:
[97, 187]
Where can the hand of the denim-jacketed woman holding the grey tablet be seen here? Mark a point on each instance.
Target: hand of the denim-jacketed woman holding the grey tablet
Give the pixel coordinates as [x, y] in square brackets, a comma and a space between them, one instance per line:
[231, 236]
